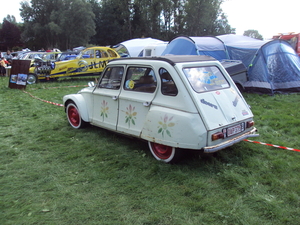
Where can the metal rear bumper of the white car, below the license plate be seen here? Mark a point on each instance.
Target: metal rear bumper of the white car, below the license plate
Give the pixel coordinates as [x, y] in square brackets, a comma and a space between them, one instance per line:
[230, 142]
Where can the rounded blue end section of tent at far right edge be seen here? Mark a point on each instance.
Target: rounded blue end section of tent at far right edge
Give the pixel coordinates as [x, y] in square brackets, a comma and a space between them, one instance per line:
[274, 69]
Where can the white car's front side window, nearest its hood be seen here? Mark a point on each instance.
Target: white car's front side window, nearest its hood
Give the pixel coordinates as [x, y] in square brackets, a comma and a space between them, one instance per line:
[111, 78]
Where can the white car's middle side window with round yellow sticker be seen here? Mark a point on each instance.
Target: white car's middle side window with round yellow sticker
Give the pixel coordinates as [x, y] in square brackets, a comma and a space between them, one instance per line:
[141, 79]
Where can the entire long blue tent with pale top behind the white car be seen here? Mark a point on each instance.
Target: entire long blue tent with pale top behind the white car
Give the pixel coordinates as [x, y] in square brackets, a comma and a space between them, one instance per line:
[272, 66]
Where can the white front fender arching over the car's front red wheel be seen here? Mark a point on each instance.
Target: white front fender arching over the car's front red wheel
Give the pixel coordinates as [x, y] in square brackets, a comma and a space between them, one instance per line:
[79, 101]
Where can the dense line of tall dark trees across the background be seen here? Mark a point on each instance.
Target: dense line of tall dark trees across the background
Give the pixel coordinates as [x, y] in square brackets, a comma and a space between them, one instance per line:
[65, 24]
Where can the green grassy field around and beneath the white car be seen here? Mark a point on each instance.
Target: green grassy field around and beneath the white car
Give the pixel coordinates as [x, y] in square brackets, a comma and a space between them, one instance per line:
[51, 173]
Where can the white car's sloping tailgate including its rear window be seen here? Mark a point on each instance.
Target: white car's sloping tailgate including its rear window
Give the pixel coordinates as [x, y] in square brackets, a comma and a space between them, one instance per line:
[217, 100]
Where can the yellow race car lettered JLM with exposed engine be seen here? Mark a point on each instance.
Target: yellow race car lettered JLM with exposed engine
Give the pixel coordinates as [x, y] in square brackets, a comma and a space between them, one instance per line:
[89, 62]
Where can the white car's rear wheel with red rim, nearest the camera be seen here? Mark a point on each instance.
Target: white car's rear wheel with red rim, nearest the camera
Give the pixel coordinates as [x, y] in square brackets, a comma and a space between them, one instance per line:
[165, 153]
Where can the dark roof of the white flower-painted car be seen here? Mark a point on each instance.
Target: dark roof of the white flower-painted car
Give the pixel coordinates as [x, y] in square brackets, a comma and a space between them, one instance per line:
[172, 59]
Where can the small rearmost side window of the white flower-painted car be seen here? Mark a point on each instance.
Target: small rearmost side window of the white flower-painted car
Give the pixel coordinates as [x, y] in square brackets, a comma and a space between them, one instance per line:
[168, 86]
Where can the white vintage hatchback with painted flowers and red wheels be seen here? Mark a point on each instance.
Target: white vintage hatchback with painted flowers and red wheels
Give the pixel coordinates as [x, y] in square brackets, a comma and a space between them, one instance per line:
[175, 103]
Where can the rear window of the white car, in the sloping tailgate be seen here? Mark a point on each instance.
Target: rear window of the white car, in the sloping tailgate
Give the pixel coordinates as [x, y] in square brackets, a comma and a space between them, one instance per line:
[206, 78]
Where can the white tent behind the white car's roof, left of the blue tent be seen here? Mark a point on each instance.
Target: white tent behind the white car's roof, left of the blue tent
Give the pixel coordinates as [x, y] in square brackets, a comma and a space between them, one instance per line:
[133, 47]
